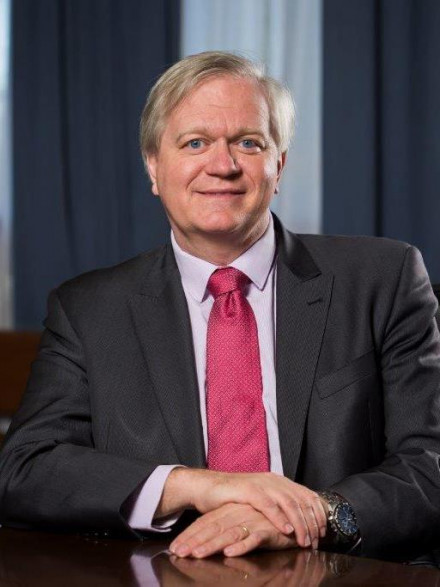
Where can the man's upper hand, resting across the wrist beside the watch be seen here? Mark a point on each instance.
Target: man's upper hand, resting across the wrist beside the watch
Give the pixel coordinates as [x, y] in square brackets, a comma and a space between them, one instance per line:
[287, 505]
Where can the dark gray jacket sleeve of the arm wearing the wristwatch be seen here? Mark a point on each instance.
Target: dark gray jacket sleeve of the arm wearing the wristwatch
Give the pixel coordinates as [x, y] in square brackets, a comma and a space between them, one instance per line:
[397, 503]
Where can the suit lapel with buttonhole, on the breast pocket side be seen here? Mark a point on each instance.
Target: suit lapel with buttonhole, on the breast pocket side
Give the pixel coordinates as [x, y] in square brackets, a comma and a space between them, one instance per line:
[303, 296]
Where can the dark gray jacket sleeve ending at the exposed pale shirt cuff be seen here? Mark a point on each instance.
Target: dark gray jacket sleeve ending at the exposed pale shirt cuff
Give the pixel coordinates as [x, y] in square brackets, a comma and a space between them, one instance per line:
[51, 475]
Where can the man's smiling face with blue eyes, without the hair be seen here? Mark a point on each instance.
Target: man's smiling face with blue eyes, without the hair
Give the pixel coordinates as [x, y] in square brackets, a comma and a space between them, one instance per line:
[218, 166]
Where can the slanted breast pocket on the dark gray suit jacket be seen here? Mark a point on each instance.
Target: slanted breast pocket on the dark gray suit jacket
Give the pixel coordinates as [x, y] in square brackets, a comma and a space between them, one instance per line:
[360, 368]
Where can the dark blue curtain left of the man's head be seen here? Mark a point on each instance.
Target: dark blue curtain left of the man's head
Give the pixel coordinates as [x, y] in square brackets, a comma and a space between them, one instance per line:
[81, 72]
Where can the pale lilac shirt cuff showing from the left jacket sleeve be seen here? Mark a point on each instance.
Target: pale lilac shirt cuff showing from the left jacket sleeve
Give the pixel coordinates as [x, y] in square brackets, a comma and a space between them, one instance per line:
[147, 500]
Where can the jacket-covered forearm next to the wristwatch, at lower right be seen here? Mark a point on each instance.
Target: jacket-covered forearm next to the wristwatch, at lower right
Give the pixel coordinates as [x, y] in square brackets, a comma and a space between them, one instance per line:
[396, 505]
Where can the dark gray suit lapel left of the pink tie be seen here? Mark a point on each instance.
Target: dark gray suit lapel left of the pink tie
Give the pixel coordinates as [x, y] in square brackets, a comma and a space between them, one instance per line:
[162, 324]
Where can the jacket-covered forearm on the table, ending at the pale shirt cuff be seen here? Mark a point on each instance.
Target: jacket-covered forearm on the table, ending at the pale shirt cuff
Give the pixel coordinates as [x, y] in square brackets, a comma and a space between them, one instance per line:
[47, 485]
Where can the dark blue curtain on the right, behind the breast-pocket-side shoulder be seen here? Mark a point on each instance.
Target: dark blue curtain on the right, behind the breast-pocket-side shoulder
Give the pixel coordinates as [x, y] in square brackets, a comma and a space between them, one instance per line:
[381, 116]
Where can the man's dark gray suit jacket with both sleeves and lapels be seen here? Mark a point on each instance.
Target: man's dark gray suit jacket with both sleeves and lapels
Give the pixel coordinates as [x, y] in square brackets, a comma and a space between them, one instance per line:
[113, 392]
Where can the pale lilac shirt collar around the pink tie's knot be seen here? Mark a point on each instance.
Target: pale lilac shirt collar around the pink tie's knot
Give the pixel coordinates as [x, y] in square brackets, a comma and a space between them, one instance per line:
[256, 263]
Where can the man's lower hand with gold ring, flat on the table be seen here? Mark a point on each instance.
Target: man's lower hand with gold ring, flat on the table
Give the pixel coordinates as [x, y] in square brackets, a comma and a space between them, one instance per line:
[233, 529]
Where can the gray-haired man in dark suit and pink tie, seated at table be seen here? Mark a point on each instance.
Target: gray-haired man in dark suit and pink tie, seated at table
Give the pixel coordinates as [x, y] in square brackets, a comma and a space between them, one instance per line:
[239, 370]
